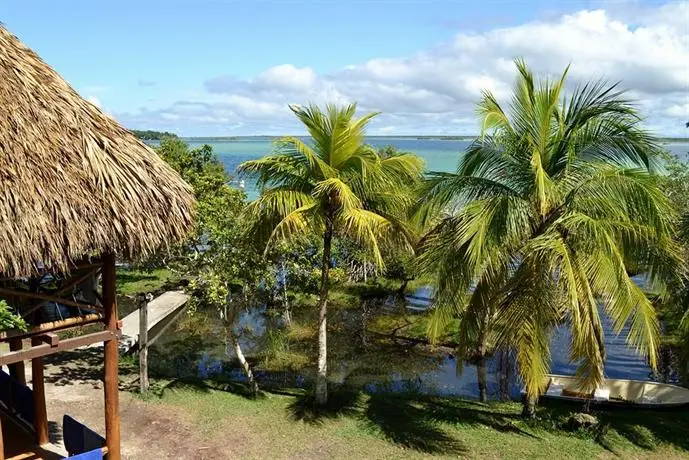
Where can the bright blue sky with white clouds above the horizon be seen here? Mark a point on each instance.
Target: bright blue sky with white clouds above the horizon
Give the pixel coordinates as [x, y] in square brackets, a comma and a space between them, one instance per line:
[214, 67]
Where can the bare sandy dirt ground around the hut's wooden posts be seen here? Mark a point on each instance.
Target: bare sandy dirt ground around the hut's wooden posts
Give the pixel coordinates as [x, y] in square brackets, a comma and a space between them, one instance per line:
[149, 430]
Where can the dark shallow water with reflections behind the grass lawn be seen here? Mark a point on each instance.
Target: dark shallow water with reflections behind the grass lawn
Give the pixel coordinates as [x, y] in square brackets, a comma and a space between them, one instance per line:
[357, 358]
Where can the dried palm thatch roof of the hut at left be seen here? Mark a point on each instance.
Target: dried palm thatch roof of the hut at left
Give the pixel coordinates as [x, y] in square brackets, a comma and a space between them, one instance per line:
[73, 182]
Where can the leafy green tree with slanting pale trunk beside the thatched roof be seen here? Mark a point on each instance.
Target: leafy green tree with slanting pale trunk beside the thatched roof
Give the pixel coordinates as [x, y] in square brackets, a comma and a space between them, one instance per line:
[221, 259]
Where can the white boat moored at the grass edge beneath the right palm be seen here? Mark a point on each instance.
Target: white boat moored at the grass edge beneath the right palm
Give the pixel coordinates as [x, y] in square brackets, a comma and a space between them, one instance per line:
[618, 392]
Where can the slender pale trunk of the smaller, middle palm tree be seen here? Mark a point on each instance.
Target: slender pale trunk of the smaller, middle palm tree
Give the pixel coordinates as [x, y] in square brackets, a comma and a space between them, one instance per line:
[322, 376]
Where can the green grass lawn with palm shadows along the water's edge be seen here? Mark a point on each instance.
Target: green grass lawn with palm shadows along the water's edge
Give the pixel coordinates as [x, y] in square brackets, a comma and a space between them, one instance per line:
[355, 425]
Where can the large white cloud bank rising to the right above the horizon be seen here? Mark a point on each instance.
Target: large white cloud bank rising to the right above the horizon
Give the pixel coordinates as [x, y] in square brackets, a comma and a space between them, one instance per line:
[646, 47]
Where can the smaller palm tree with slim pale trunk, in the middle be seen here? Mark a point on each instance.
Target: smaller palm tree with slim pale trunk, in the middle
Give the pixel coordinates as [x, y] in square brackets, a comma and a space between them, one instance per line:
[335, 186]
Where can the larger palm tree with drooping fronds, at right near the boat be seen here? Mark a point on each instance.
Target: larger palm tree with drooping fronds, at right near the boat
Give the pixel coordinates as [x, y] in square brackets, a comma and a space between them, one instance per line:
[549, 211]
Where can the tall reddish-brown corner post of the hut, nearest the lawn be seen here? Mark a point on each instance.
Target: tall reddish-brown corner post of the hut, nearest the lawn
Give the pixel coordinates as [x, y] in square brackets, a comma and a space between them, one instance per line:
[111, 378]
